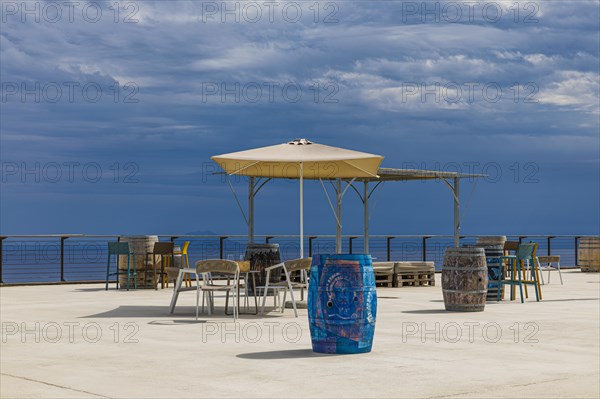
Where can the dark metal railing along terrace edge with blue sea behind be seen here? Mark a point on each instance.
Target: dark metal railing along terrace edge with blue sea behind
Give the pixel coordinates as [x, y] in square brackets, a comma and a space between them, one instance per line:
[31, 259]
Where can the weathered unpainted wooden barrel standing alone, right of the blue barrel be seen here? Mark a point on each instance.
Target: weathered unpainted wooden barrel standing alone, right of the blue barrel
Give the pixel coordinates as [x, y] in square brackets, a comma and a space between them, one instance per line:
[464, 279]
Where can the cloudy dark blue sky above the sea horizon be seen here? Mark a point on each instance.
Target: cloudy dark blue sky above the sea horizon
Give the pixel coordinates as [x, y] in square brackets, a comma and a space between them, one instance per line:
[110, 112]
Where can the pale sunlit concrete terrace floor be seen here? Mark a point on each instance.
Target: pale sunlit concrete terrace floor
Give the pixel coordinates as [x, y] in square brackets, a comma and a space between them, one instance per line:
[547, 349]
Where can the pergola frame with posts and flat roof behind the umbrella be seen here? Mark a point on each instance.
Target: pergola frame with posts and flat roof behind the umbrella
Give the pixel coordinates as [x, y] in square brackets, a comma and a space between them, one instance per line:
[451, 180]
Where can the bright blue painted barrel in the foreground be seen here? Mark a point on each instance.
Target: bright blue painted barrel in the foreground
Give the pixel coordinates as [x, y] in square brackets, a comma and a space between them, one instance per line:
[342, 303]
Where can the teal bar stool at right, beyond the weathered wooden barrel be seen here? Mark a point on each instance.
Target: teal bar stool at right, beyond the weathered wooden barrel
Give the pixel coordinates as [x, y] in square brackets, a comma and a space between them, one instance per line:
[514, 274]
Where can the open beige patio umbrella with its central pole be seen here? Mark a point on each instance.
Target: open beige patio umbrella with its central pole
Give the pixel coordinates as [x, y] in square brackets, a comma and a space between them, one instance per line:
[300, 159]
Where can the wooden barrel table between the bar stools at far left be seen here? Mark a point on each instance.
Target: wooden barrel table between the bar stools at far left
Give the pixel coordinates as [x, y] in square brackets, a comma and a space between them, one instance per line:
[139, 245]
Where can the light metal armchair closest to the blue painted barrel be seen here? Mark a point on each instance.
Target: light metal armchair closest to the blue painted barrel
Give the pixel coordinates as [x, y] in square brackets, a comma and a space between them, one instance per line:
[290, 266]
